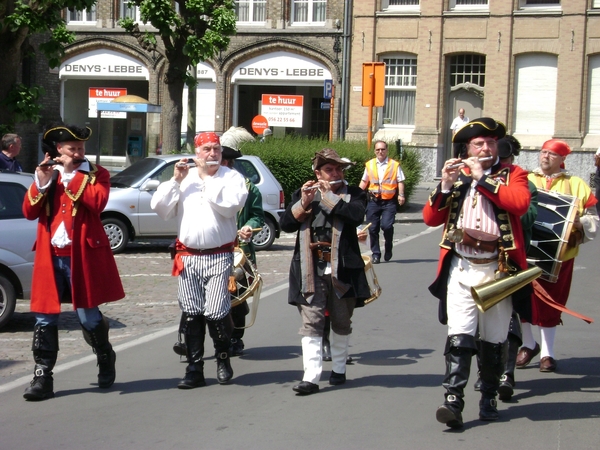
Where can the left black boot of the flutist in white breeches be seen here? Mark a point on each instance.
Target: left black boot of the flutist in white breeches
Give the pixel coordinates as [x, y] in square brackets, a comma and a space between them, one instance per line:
[459, 352]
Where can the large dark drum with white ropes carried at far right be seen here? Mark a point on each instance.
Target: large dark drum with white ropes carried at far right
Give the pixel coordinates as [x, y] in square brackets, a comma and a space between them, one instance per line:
[551, 231]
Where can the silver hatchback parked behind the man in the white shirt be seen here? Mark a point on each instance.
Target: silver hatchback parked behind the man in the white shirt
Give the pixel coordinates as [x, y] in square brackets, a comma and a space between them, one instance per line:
[128, 215]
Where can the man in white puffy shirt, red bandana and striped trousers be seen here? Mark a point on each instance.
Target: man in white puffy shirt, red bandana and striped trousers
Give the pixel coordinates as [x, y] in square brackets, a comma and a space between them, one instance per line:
[206, 200]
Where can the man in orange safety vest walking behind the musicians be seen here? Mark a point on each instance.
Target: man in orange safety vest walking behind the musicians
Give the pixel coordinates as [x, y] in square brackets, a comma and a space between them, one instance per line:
[384, 181]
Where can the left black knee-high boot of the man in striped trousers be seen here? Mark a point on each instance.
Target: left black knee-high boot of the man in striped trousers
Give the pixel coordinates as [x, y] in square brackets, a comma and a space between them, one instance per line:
[194, 332]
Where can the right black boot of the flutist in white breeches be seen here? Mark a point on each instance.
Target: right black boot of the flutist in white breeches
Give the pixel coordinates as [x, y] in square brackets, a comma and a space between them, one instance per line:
[493, 358]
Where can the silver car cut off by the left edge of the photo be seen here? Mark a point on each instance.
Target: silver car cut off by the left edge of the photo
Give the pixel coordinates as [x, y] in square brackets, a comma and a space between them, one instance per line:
[16, 243]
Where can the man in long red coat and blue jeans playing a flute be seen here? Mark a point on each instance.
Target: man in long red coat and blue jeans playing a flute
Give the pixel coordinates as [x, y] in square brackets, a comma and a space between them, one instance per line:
[72, 253]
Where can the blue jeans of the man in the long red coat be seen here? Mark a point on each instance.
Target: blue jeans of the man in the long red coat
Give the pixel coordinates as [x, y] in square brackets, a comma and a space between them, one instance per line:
[88, 317]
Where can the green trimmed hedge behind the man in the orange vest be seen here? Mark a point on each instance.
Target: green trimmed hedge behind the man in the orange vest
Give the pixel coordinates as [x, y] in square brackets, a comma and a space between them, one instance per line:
[289, 159]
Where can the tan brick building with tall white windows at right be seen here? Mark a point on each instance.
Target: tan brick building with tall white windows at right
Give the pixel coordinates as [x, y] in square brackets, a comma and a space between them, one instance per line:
[532, 64]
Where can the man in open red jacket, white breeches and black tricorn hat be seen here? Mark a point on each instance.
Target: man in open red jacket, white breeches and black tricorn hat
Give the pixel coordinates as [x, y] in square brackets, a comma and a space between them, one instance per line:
[480, 202]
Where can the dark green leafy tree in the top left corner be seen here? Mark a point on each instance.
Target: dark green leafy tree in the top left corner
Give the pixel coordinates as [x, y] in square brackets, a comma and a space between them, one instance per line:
[20, 19]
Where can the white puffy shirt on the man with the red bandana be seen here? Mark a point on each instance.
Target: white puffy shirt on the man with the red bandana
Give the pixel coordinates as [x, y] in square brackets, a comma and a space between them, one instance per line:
[206, 209]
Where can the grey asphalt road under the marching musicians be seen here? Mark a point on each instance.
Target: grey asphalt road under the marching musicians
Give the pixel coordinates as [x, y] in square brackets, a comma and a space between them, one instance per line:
[389, 401]
